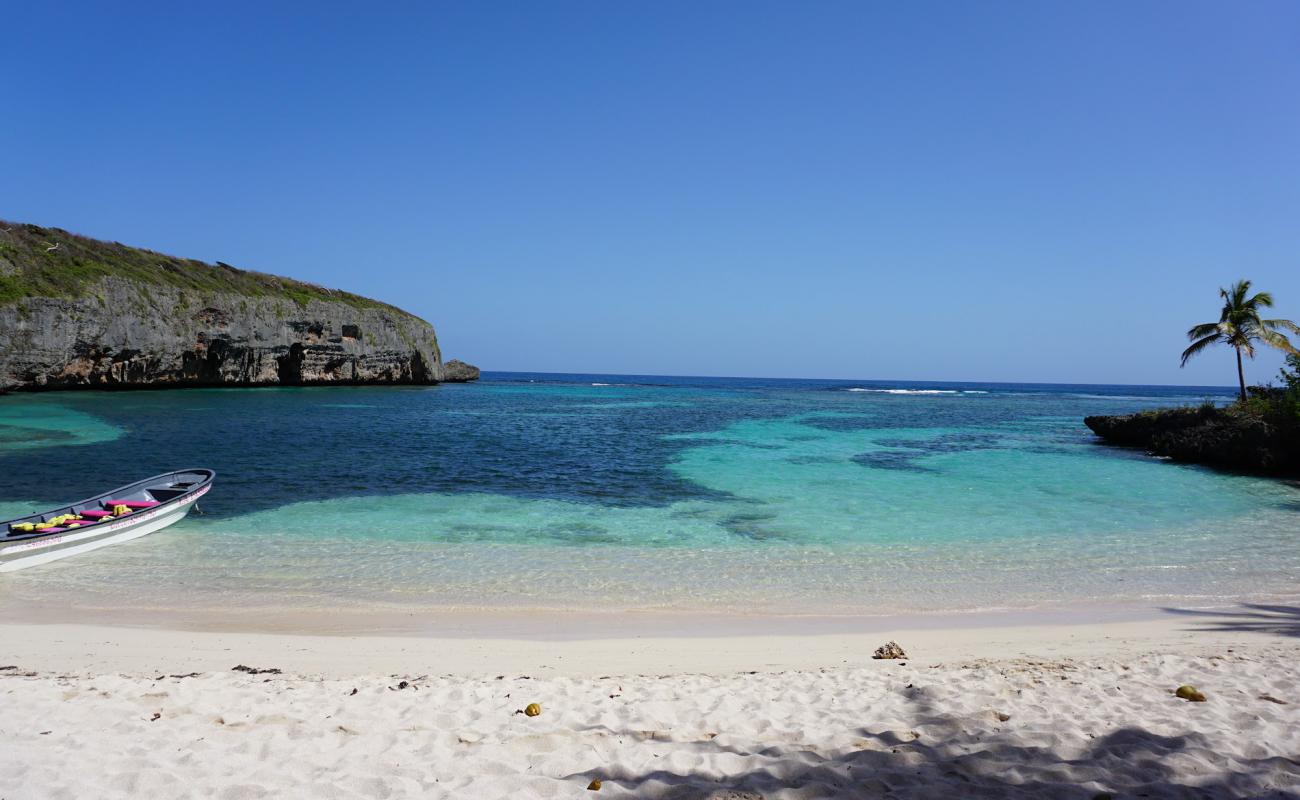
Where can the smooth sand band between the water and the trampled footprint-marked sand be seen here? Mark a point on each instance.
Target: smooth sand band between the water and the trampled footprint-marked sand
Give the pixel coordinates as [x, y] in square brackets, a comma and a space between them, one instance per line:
[618, 647]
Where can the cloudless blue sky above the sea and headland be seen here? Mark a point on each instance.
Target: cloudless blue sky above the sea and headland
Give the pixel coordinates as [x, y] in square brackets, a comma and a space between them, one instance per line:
[1024, 192]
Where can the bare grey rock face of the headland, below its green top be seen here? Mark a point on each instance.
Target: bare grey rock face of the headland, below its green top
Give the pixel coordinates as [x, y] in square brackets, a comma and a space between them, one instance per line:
[229, 340]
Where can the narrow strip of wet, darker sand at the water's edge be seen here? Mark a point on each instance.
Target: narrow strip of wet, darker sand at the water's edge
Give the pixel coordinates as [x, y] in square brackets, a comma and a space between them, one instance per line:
[582, 622]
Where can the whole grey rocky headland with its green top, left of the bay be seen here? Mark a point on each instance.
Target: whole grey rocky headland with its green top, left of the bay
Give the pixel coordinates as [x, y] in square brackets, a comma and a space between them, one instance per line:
[79, 313]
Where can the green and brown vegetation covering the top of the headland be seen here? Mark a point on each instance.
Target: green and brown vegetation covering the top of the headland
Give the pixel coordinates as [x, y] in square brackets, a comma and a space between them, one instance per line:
[31, 266]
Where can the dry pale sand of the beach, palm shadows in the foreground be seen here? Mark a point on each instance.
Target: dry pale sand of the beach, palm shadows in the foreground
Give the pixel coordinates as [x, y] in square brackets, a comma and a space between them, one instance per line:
[1048, 711]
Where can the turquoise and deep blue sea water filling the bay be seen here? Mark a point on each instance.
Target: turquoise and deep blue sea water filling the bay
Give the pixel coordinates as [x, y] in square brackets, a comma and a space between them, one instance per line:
[638, 492]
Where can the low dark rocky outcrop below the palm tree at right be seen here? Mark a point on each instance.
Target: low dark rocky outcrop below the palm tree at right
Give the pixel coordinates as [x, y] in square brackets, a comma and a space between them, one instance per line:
[1221, 438]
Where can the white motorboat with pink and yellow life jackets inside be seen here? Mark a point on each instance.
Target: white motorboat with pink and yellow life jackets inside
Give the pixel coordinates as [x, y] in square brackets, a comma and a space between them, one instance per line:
[106, 520]
